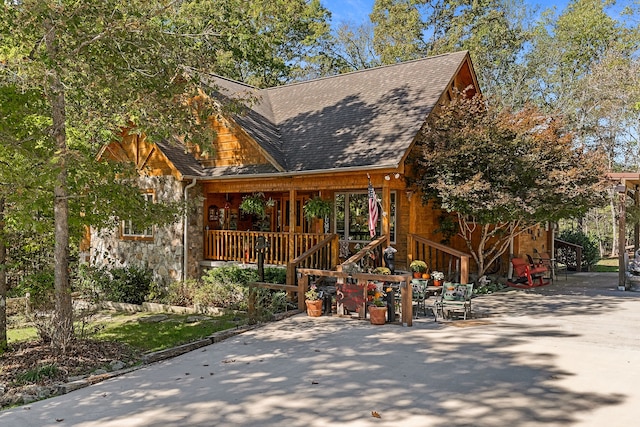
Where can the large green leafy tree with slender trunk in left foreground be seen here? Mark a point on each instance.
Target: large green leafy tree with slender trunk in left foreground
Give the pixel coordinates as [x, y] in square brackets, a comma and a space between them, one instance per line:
[103, 65]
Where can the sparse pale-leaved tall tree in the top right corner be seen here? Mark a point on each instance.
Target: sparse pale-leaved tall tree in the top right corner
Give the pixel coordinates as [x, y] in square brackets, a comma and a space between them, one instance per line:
[581, 66]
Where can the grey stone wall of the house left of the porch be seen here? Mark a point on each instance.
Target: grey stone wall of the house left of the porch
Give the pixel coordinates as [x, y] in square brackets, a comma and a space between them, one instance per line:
[164, 254]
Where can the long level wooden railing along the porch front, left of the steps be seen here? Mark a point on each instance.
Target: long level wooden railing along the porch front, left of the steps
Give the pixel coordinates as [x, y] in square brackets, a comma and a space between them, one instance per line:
[239, 246]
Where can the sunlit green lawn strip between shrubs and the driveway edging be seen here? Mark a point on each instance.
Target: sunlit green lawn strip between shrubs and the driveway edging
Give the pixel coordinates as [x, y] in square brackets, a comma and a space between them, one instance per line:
[132, 329]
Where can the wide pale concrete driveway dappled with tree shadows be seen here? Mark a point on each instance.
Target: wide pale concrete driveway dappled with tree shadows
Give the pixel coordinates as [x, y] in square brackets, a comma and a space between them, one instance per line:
[563, 355]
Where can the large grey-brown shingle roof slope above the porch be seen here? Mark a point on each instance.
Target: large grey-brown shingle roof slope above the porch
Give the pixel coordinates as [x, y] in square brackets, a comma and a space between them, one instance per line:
[364, 119]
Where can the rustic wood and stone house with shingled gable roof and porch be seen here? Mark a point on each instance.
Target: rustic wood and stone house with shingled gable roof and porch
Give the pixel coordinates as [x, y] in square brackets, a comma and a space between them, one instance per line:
[326, 138]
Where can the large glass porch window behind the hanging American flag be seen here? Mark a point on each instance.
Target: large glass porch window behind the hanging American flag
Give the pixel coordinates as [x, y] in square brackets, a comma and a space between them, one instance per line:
[352, 216]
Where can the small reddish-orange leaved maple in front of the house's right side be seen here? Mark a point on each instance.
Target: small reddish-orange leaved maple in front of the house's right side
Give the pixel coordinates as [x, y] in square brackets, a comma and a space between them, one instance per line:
[501, 172]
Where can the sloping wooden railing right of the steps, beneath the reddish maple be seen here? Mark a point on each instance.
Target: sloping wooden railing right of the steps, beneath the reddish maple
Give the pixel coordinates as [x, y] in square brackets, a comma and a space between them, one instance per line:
[453, 263]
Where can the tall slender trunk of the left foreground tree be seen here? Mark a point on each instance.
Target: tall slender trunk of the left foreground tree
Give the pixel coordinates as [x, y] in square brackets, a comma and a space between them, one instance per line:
[63, 318]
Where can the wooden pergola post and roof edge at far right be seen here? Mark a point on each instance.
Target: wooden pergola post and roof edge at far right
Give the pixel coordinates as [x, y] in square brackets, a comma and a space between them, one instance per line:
[627, 184]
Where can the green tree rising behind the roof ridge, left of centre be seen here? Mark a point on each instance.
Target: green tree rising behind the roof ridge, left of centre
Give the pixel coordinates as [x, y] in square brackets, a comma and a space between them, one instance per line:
[267, 42]
